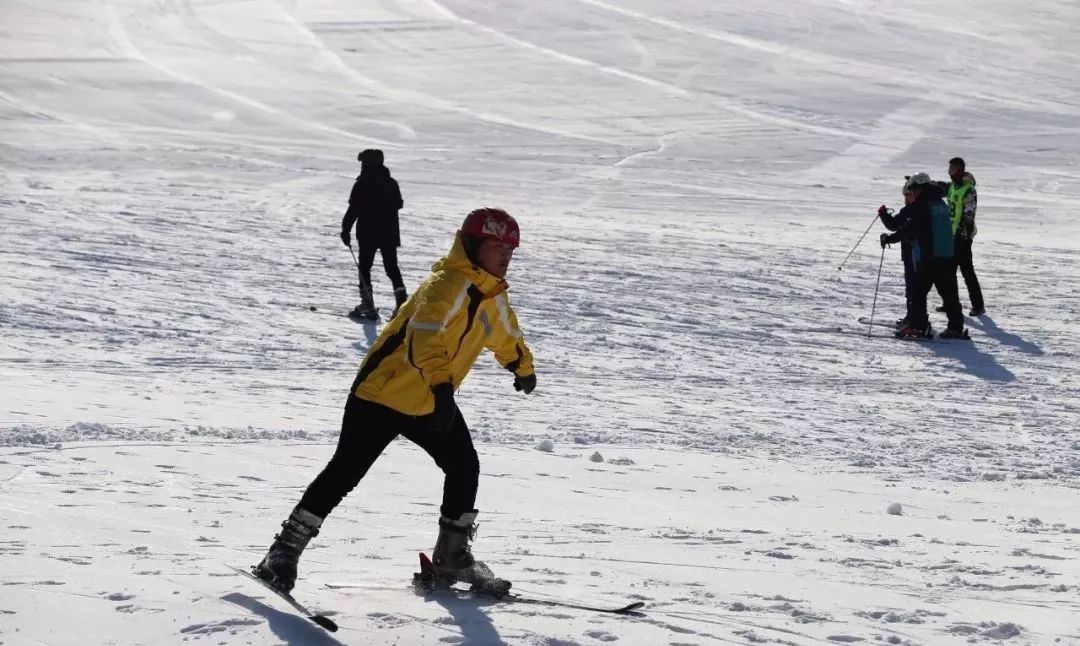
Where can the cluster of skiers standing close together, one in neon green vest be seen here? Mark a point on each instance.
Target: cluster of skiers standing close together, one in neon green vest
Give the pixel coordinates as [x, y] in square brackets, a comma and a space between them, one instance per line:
[936, 239]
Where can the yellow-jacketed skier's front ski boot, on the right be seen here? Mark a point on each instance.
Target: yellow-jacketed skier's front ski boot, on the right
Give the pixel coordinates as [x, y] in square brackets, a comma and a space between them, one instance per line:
[454, 562]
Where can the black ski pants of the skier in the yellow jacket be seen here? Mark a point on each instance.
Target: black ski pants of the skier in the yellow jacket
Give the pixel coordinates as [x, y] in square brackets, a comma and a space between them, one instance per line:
[368, 429]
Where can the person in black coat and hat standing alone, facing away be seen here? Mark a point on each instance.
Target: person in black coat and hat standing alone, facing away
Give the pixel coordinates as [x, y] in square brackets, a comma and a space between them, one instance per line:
[373, 208]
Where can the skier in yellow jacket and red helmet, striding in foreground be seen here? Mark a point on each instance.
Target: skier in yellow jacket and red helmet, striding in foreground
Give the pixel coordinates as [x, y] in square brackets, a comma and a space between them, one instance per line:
[406, 387]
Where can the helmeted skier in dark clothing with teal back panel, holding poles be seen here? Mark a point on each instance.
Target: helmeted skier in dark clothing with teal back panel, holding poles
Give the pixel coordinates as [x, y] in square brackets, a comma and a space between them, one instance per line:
[929, 231]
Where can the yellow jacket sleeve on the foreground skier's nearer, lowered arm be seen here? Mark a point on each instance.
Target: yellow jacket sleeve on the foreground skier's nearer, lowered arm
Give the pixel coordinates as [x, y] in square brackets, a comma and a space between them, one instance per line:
[427, 341]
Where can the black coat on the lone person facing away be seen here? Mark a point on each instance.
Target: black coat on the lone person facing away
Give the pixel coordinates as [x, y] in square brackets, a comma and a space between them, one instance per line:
[374, 207]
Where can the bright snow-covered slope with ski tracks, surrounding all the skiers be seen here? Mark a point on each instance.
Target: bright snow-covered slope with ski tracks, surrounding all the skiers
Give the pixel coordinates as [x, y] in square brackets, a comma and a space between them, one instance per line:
[713, 433]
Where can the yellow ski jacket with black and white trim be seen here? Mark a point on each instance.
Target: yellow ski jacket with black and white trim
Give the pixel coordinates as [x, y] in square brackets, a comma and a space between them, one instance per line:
[438, 335]
